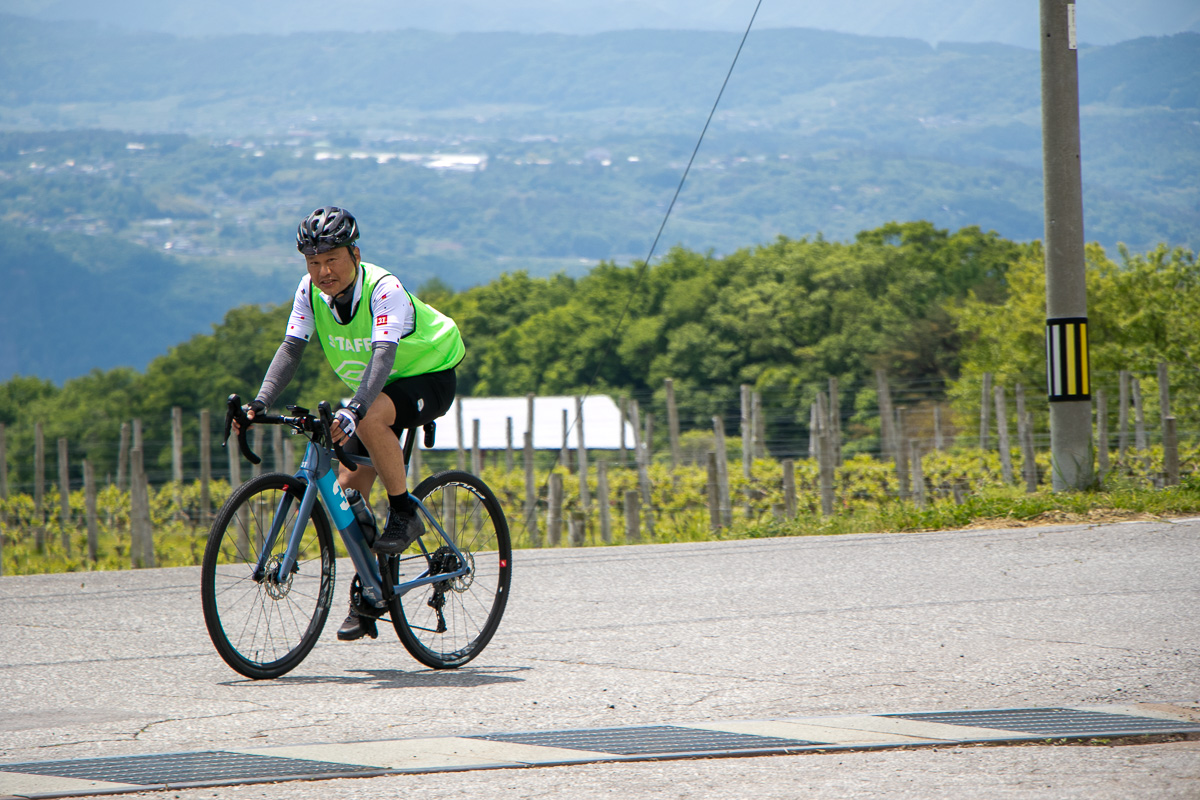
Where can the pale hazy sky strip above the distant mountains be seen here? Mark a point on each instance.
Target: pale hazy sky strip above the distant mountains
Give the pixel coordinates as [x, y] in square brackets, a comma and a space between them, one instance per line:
[1012, 22]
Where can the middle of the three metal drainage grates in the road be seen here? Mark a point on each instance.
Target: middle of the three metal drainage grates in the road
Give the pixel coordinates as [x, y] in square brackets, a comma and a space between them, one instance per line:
[655, 739]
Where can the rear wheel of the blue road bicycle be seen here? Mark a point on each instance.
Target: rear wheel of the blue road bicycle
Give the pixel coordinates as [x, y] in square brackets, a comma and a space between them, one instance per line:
[469, 609]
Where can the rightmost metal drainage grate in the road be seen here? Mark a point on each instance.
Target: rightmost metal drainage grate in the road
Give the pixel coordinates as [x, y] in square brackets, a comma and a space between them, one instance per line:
[1054, 723]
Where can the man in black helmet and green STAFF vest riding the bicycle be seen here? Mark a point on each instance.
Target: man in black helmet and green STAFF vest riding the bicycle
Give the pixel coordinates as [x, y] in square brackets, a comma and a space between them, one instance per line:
[398, 356]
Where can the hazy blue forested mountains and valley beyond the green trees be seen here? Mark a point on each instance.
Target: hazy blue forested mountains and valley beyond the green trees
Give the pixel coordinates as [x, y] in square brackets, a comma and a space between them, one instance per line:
[164, 176]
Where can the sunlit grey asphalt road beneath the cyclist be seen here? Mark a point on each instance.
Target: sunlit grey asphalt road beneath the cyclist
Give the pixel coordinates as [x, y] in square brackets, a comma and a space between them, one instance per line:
[121, 664]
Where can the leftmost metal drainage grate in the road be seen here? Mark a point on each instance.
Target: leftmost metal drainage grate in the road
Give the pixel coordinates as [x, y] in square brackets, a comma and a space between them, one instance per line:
[183, 768]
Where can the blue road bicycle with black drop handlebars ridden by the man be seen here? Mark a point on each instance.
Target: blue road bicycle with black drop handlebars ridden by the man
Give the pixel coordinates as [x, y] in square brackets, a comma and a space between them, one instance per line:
[267, 581]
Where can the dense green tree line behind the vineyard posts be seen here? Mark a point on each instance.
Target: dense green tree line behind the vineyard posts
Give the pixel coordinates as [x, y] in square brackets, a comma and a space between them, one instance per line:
[934, 309]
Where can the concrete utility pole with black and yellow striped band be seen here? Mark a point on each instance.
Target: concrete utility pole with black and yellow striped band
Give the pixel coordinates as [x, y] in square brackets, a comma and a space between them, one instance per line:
[1069, 381]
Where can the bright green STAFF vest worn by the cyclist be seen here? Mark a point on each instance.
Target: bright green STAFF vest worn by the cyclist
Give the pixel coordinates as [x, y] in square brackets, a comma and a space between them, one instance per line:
[434, 346]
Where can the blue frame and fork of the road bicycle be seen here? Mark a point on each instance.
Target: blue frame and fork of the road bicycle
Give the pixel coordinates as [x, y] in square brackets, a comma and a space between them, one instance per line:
[316, 471]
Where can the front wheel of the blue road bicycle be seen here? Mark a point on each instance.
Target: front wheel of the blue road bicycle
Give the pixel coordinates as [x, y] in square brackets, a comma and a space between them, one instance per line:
[263, 629]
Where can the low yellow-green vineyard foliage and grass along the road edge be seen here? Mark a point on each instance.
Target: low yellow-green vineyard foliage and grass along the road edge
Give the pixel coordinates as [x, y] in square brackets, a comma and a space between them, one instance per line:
[866, 491]
